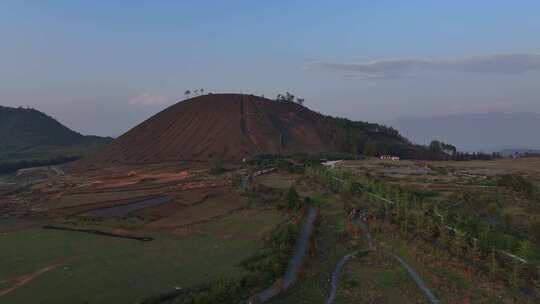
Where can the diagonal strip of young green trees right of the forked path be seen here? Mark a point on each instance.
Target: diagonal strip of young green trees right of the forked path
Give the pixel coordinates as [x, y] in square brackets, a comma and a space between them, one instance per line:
[495, 246]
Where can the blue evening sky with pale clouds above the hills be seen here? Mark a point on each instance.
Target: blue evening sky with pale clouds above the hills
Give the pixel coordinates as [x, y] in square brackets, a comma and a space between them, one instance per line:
[102, 67]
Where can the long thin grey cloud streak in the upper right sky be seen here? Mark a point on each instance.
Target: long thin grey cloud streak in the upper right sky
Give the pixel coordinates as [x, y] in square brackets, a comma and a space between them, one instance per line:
[391, 68]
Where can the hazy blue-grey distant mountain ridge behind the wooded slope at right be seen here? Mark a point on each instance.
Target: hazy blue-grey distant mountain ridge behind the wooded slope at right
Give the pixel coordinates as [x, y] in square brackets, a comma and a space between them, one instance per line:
[489, 132]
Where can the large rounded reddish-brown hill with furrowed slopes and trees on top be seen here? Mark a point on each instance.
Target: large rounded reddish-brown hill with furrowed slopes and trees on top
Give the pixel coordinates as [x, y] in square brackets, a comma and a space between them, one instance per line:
[235, 126]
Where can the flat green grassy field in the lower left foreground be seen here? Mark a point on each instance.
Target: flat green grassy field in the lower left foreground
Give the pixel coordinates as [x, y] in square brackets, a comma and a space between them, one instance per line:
[97, 269]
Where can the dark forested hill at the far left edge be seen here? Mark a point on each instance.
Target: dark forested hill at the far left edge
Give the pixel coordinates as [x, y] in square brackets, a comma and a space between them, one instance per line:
[26, 127]
